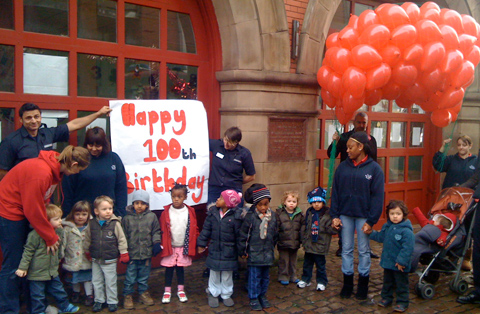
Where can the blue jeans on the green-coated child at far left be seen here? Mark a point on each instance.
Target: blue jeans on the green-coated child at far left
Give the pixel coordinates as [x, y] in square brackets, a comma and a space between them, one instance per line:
[54, 287]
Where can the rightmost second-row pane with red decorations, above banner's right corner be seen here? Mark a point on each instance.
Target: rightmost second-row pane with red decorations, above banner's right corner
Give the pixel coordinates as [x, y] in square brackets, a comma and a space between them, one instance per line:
[181, 81]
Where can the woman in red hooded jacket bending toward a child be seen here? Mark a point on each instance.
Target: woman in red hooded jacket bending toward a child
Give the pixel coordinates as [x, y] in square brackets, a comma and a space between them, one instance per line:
[24, 191]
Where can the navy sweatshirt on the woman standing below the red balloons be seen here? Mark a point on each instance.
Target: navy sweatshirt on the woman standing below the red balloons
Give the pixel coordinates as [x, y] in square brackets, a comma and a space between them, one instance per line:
[357, 191]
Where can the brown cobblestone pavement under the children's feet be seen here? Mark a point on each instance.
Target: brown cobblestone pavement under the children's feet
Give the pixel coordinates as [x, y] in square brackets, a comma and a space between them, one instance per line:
[290, 299]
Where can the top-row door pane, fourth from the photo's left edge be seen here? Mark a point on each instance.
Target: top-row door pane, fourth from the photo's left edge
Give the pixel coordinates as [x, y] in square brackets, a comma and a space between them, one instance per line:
[142, 26]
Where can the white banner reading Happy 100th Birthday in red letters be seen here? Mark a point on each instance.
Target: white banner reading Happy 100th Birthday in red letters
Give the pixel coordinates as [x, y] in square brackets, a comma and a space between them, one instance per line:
[162, 142]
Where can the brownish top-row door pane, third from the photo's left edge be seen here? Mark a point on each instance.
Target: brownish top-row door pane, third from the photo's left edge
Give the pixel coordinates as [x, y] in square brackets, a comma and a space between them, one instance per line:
[97, 20]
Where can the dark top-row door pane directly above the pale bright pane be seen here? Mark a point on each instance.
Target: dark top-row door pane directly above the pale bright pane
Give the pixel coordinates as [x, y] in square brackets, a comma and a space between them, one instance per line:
[46, 16]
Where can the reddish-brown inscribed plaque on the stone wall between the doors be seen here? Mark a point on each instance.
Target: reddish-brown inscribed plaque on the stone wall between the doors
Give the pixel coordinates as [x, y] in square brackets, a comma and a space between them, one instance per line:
[286, 139]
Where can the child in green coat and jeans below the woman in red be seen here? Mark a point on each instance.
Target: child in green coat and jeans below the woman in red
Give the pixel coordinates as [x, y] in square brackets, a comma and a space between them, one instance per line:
[41, 268]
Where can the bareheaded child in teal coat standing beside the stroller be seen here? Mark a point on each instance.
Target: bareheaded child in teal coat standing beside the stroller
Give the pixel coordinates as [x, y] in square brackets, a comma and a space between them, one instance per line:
[398, 241]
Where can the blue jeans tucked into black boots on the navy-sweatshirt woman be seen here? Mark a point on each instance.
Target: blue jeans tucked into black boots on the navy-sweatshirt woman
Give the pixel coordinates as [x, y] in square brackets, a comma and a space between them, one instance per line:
[349, 225]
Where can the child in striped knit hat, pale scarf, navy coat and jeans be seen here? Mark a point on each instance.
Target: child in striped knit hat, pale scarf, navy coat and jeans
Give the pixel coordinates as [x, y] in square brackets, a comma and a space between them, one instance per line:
[257, 238]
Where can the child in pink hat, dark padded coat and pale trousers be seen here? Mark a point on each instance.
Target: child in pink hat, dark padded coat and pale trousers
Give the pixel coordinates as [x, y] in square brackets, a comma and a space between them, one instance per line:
[221, 228]
